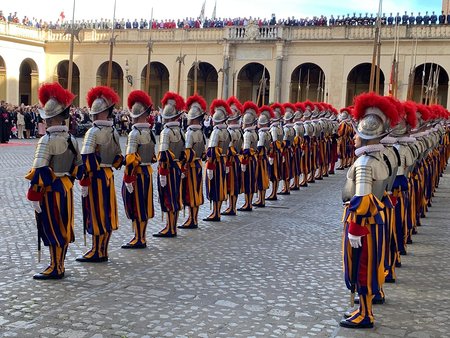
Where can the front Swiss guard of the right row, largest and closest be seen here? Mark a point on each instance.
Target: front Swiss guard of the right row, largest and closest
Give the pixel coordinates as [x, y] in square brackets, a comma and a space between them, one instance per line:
[363, 220]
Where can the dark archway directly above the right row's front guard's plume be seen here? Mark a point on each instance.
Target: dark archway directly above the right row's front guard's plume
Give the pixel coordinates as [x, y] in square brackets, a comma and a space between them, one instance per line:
[358, 81]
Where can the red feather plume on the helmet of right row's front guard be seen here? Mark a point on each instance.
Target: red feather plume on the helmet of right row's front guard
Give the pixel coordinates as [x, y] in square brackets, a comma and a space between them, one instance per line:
[367, 100]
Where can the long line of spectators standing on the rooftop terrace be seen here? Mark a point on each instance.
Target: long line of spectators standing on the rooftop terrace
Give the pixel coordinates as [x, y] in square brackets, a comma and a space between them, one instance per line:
[192, 23]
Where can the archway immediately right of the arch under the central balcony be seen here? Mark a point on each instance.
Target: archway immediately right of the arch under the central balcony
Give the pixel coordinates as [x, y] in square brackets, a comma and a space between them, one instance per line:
[308, 83]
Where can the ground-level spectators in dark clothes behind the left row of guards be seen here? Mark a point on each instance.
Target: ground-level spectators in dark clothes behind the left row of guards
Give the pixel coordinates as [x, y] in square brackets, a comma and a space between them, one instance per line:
[24, 122]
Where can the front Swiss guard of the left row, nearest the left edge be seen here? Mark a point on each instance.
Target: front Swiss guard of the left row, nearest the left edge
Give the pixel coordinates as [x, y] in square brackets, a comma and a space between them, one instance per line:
[57, 162]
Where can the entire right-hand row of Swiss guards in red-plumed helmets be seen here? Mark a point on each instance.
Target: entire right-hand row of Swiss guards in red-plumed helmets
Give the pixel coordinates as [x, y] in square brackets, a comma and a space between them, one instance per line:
[402, 149]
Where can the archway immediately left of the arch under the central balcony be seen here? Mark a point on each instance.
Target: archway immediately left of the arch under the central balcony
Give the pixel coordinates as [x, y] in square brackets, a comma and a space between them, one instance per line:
[206, 81]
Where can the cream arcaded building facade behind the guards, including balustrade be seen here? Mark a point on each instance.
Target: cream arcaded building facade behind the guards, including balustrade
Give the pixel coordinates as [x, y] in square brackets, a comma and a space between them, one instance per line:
[263, 64]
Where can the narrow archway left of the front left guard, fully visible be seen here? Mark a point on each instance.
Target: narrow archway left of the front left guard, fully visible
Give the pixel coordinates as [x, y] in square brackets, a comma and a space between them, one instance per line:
[28, 82]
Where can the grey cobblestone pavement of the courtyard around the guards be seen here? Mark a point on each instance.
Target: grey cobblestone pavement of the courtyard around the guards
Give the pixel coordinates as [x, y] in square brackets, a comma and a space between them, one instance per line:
[270, 273]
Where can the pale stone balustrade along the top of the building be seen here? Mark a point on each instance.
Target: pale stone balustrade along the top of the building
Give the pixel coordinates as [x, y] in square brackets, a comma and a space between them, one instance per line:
[250, 32]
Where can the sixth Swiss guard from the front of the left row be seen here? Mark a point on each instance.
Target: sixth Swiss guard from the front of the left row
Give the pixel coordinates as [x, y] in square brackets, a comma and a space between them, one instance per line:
[219, 142]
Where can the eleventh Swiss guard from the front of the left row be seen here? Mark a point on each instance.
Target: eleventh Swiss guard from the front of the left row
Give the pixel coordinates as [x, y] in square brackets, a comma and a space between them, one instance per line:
[288, 142]
